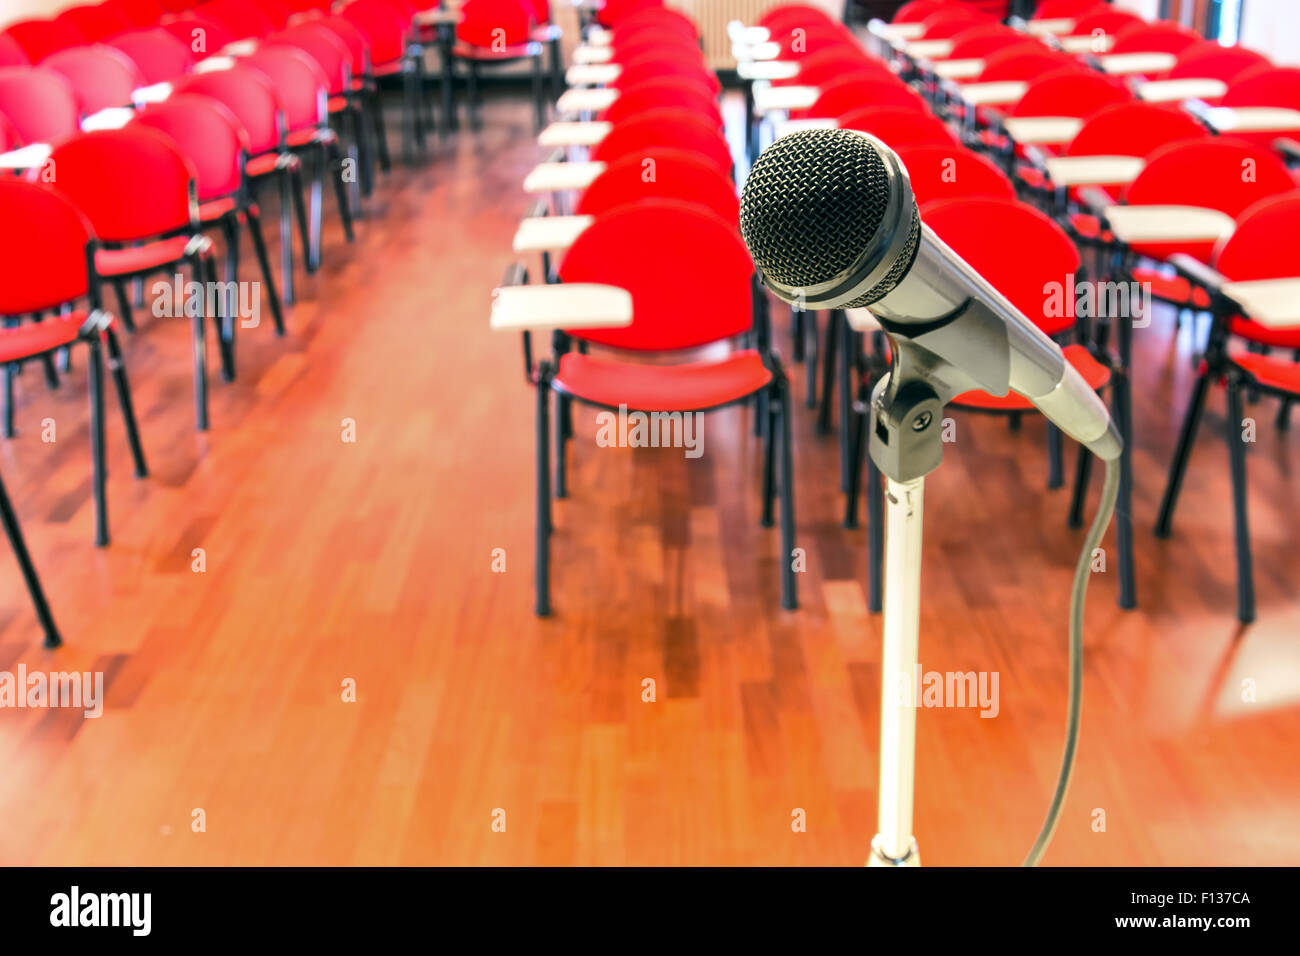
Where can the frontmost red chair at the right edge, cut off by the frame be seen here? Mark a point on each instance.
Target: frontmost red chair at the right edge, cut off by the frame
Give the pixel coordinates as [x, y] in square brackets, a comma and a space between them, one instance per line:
[1264, 245]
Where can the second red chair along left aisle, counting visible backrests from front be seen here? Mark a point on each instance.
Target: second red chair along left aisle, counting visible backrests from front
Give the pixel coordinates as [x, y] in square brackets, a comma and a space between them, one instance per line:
[136, 187]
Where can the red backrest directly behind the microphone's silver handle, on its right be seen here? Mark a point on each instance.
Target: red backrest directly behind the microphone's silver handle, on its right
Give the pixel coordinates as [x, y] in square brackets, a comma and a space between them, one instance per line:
[1013, 246]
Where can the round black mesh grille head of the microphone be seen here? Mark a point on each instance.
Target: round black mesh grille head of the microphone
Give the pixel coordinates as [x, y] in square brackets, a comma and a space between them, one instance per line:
[818, 205]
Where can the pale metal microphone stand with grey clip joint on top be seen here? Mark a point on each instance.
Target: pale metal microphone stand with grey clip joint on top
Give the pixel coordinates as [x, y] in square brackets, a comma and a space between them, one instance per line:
[907, 444]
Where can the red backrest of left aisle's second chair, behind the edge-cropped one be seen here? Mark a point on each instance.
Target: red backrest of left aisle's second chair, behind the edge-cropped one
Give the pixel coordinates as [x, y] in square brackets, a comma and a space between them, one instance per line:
[133, 184]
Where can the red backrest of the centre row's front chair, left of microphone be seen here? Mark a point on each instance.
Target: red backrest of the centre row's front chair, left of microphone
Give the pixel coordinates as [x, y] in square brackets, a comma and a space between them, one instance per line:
[686, 267]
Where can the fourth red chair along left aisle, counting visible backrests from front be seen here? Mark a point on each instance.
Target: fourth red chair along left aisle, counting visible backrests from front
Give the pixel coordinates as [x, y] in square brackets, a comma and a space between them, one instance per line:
[252, 97]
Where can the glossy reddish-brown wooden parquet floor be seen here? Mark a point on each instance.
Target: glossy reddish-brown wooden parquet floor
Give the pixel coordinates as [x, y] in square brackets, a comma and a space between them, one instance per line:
[372, 563]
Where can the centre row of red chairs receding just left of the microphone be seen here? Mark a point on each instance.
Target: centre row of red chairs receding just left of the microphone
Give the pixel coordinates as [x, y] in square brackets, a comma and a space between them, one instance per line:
[666, 231]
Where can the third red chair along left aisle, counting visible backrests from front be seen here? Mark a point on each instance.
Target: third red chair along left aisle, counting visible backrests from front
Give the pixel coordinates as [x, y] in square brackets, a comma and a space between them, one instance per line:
[211, 139]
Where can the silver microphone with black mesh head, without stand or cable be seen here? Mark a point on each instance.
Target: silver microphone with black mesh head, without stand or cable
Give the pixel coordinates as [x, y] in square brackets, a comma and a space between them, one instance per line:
[831, 223]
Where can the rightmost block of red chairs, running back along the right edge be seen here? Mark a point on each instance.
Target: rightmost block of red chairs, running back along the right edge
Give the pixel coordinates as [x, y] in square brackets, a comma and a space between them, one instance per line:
[1181, 158]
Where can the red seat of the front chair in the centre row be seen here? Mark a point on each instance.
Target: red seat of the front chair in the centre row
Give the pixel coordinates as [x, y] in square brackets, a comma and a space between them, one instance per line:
[688, 387]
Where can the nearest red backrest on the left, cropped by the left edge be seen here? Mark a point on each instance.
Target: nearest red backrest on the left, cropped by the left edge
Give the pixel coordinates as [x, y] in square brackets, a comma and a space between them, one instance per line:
[36, 276]
